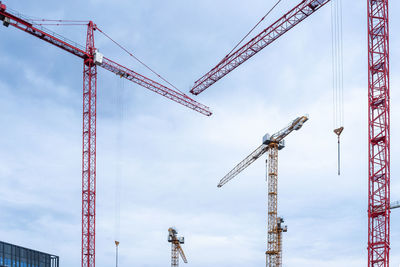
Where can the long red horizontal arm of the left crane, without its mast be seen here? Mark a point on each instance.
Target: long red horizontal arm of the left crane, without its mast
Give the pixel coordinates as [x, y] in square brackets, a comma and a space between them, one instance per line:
[19, 21]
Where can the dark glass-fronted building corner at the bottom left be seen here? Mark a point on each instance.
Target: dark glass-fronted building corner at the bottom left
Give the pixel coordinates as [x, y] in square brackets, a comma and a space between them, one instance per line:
[15, 256]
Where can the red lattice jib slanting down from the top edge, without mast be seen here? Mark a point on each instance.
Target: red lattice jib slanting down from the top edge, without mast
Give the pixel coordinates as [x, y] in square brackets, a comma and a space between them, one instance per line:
[265, 38]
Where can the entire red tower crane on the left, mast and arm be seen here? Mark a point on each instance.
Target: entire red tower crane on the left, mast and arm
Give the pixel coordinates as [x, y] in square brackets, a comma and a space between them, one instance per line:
[92, 59]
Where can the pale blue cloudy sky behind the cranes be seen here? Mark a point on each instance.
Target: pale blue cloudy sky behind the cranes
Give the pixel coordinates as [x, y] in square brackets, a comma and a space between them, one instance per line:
[164, 160]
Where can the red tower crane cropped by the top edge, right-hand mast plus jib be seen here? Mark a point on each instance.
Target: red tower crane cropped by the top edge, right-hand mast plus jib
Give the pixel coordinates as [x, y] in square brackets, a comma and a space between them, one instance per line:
[378, 108]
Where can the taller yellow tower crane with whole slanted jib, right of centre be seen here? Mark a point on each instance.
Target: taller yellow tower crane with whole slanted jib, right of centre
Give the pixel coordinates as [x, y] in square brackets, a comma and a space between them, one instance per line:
[272, 144]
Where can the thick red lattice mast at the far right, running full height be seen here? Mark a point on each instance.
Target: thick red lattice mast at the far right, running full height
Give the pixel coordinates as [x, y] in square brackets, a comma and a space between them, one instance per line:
[379, 134]
